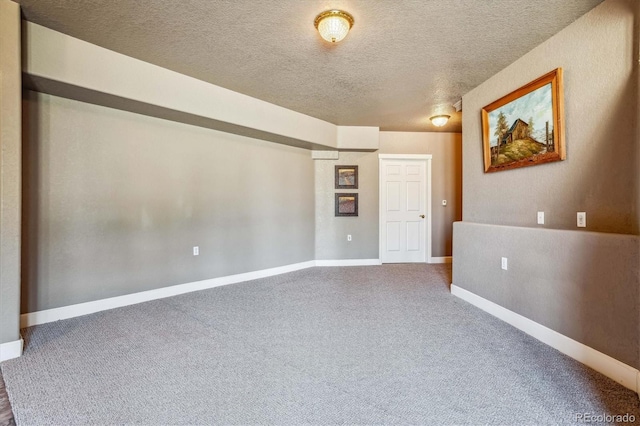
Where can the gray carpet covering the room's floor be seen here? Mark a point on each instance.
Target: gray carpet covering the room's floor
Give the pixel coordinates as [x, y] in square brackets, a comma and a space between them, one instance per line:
[347, 345]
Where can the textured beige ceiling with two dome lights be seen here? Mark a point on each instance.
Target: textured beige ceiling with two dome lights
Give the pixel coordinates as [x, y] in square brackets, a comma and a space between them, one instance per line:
[403, 61]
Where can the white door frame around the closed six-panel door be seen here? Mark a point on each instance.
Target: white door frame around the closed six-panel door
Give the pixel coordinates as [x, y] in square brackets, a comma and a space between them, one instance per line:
[382, 216]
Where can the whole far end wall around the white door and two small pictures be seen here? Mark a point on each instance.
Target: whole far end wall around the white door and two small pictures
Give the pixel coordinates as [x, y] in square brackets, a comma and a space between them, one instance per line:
[331, 231]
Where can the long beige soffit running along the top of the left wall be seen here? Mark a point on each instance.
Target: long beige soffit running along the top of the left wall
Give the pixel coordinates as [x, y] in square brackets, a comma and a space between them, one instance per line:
[65, 66]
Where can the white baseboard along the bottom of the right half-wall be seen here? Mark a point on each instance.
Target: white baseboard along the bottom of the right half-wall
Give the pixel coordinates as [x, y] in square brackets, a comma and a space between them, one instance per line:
[622, 373]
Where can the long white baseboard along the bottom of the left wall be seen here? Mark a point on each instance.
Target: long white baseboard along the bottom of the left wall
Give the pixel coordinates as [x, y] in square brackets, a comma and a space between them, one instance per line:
[50, 315]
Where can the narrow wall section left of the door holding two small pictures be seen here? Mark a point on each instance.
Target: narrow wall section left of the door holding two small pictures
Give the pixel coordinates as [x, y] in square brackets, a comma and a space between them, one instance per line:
[331, 231]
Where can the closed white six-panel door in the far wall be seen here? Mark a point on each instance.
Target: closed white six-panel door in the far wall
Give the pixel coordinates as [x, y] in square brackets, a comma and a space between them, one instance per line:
[403, 209]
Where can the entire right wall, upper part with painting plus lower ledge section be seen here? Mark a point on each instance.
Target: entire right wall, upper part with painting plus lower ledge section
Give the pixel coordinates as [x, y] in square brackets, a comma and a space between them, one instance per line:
[582, 284]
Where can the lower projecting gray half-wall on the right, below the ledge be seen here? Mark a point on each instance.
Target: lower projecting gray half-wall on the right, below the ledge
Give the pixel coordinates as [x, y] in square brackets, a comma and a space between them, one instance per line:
[583, 285]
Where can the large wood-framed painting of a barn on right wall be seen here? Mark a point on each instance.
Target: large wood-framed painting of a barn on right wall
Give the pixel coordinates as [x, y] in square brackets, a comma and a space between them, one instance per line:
[525, 127]
